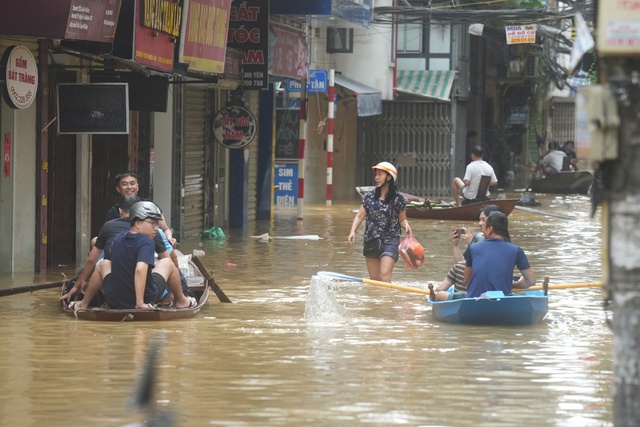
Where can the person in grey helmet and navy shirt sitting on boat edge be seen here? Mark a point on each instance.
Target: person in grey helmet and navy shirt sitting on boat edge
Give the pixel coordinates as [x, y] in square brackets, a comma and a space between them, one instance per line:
[128, 279]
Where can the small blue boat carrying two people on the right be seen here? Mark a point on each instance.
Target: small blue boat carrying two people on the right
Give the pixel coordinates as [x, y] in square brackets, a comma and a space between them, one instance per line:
[494, 308]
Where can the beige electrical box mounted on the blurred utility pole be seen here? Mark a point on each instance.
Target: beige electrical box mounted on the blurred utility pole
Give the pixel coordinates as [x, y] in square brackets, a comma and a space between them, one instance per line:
[597, 123]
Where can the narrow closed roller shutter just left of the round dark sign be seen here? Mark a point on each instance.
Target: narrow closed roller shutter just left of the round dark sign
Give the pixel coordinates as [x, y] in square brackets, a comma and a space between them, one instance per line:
[193, 200]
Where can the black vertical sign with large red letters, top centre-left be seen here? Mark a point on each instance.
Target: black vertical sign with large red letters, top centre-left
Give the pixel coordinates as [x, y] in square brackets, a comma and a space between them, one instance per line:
[249, 32]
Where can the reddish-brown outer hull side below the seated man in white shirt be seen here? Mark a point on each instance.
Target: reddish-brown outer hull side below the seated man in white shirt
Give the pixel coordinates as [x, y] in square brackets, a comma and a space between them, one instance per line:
[469, 212]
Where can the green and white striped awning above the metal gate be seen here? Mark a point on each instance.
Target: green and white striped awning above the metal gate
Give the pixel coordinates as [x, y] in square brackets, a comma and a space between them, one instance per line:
[428, 83]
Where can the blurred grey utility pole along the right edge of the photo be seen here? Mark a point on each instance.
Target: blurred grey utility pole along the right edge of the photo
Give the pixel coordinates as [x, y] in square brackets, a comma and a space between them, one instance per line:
[618, 47]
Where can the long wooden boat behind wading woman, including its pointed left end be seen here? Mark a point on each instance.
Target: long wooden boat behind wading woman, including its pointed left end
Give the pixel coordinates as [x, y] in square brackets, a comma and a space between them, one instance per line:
[420, 208]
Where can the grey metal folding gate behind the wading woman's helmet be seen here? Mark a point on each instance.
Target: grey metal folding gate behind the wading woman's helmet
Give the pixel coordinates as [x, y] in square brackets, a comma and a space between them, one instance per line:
[414, 136]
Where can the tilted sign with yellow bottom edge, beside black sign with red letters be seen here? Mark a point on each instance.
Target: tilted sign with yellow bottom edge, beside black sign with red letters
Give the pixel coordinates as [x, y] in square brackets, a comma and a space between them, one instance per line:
[204, 39]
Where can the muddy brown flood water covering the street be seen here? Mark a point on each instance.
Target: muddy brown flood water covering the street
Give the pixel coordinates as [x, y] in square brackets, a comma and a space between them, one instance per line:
[297, 350]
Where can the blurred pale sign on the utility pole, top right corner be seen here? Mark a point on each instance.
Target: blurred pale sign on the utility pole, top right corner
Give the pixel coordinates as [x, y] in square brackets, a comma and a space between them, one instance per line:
[618, 28]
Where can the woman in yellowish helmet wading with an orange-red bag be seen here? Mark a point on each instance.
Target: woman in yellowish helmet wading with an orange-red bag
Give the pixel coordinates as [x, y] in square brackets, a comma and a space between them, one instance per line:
[385, 212]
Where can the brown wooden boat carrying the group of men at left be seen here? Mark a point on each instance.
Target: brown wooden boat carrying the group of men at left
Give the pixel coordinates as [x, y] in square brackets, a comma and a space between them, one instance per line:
[199, 284]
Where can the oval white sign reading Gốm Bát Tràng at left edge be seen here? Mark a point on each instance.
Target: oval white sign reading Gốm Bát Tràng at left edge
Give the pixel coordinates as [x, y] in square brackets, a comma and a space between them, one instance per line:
[21, 77]
